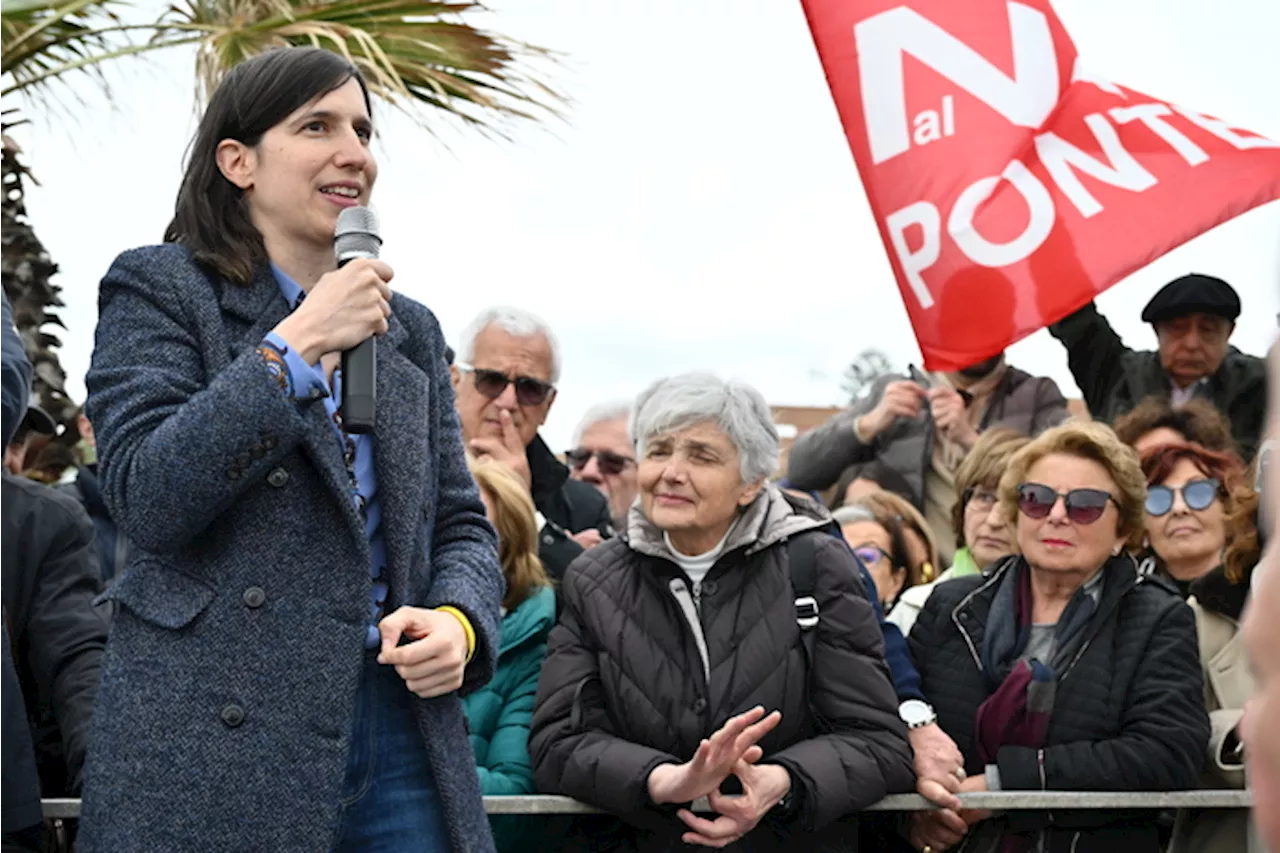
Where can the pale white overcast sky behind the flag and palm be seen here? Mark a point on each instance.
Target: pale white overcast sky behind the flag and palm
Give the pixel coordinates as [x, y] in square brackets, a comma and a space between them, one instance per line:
[698, 208]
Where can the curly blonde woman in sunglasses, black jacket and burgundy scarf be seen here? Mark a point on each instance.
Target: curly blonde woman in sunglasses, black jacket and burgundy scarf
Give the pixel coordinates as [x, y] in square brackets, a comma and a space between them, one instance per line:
[1063, 669]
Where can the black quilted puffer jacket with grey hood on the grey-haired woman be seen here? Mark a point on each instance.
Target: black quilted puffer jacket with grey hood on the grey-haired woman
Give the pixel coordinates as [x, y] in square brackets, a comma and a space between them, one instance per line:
[624, 687]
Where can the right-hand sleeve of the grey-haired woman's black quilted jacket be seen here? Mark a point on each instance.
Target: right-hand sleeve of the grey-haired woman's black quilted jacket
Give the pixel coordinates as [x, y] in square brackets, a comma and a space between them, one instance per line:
[866, 754]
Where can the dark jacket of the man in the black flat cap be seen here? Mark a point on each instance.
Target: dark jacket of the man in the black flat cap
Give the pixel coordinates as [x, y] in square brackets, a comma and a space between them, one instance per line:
[1116, 378]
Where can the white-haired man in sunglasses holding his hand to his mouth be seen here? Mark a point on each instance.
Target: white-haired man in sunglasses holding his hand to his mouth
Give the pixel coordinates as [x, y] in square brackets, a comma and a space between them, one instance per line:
[505, 380]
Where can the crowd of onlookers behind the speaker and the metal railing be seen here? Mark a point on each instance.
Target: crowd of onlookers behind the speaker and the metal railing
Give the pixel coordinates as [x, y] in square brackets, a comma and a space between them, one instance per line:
[954, 587]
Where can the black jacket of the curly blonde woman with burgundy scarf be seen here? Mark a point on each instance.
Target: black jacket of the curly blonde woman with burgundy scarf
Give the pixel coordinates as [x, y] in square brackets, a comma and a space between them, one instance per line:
[1130, 715]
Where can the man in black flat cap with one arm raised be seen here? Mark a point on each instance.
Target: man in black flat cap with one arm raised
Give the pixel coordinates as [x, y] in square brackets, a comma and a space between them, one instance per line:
[1194, 318]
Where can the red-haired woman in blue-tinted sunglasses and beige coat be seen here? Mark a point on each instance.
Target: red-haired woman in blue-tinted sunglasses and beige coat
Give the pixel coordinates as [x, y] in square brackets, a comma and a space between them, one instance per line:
[1203, 527]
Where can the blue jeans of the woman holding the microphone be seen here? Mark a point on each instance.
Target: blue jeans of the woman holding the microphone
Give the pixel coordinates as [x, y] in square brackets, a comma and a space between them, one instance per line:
[390, 802]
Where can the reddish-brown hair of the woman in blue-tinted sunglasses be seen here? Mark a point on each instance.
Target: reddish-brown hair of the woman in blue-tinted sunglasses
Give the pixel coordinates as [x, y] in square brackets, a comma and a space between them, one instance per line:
[1240, 500]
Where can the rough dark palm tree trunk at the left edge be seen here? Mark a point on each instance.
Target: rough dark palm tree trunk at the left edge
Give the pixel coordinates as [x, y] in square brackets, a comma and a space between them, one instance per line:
[26, 273]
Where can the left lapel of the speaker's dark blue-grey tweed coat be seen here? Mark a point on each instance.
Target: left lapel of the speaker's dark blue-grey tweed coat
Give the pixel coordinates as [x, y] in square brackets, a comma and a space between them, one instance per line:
[253, 312]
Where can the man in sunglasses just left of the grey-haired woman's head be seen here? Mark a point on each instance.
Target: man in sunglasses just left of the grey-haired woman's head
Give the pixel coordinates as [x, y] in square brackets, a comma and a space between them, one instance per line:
[604, 457]
